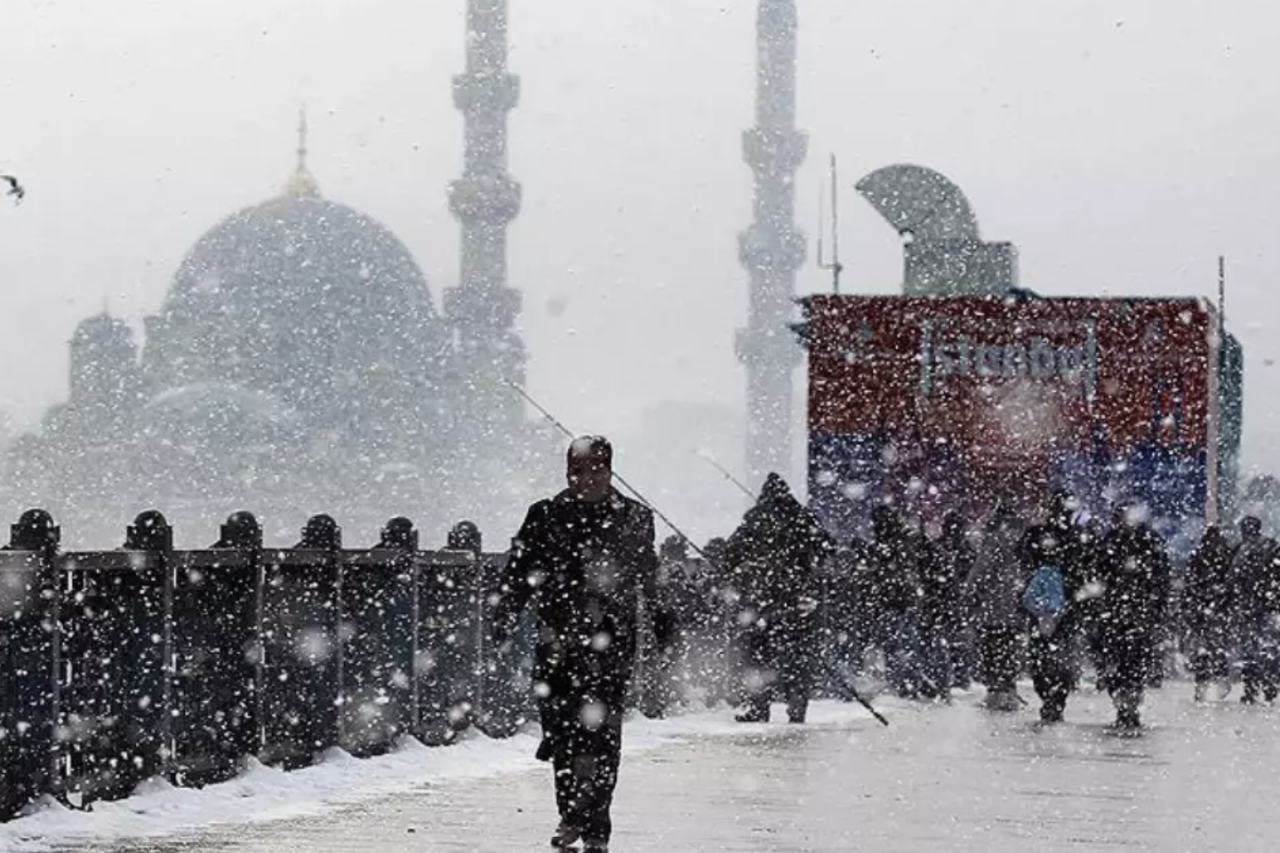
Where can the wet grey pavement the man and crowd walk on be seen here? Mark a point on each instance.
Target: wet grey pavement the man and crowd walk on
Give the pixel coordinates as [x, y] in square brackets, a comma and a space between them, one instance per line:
[939, 779]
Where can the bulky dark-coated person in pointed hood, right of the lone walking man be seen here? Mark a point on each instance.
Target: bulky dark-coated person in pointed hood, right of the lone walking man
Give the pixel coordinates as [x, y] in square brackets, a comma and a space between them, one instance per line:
[775, 556]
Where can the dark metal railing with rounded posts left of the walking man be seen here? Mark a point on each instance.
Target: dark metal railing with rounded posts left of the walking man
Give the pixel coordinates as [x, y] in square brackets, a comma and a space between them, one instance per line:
[117, 667]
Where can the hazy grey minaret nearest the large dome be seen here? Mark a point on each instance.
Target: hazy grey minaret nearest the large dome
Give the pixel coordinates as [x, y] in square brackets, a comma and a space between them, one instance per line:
[482, 309]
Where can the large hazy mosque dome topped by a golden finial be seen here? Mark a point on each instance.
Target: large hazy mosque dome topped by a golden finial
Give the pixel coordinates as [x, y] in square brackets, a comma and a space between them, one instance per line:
[301, 298]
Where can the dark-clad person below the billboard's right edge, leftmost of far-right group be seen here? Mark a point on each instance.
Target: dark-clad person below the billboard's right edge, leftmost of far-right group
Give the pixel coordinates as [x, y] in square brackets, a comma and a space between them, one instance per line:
[1208, 605]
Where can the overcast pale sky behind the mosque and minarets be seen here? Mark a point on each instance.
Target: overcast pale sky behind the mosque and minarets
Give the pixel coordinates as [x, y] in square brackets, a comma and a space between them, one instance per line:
[1122, 145]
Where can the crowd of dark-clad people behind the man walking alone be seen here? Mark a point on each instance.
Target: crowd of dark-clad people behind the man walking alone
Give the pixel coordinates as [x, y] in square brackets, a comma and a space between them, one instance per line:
[1048, 599]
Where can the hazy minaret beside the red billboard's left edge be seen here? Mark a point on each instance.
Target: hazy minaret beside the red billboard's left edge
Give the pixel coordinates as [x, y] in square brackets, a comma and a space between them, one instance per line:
[772, 249]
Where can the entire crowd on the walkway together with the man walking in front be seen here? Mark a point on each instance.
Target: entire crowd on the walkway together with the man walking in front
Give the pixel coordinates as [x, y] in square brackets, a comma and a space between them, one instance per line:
[780, 610]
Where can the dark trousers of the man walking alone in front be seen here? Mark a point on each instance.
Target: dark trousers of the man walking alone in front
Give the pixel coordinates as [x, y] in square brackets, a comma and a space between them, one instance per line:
[582, 718]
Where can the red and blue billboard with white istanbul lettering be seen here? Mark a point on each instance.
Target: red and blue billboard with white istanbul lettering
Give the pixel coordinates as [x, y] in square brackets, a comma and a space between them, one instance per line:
[1008, 394]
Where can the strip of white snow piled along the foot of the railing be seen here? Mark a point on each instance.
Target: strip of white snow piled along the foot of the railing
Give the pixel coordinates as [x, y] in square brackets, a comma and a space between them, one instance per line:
[267, 793]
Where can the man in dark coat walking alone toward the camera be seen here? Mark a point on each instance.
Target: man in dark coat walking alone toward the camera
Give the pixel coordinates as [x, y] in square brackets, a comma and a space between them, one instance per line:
[586, 559]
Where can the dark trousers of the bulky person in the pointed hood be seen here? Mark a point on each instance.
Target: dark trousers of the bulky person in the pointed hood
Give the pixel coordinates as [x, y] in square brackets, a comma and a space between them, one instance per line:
[780, 663]
